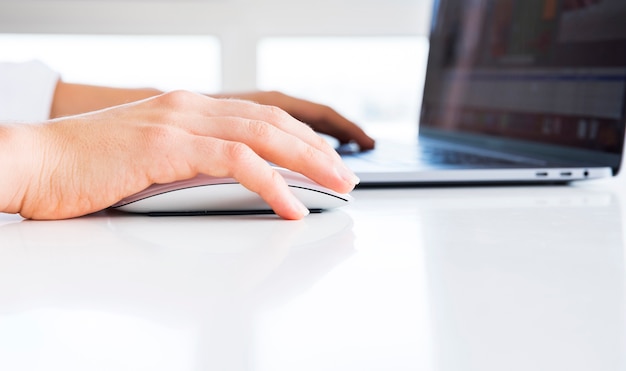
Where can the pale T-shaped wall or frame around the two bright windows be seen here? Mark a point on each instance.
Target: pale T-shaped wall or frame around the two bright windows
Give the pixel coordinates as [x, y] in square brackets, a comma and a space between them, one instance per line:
[239, 24]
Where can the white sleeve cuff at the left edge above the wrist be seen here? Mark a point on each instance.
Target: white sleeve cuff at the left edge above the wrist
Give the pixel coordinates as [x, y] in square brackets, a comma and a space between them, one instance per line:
[26, 91]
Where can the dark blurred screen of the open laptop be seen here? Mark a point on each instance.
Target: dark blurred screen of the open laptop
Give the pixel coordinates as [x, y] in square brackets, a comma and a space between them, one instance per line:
[540, 71]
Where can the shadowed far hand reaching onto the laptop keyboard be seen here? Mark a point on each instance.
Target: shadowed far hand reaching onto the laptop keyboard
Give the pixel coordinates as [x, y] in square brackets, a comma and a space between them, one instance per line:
[321, 118]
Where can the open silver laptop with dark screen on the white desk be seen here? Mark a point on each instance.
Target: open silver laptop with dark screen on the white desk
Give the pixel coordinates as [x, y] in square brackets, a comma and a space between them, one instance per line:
[516, 91]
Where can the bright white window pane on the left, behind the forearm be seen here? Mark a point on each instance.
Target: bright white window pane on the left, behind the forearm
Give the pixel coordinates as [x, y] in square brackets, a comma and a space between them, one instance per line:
[164, 62]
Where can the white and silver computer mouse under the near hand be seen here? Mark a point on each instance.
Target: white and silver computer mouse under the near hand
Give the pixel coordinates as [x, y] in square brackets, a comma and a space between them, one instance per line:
[207, 195]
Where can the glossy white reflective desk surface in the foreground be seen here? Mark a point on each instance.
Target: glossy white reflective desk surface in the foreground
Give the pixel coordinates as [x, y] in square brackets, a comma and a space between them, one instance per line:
[510, 278]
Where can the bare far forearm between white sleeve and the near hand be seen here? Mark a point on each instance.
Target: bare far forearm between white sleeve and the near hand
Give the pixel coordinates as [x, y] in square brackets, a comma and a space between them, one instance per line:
[71, 99]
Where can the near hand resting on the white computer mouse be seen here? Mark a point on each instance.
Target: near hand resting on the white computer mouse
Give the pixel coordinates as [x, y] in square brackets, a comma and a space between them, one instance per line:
[81, 164]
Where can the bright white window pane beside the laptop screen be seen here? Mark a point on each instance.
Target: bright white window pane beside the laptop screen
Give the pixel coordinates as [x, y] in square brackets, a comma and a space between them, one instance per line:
[368, 79]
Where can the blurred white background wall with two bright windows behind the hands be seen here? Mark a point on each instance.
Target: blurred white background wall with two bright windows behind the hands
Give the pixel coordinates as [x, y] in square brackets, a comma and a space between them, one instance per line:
[365, 58]
